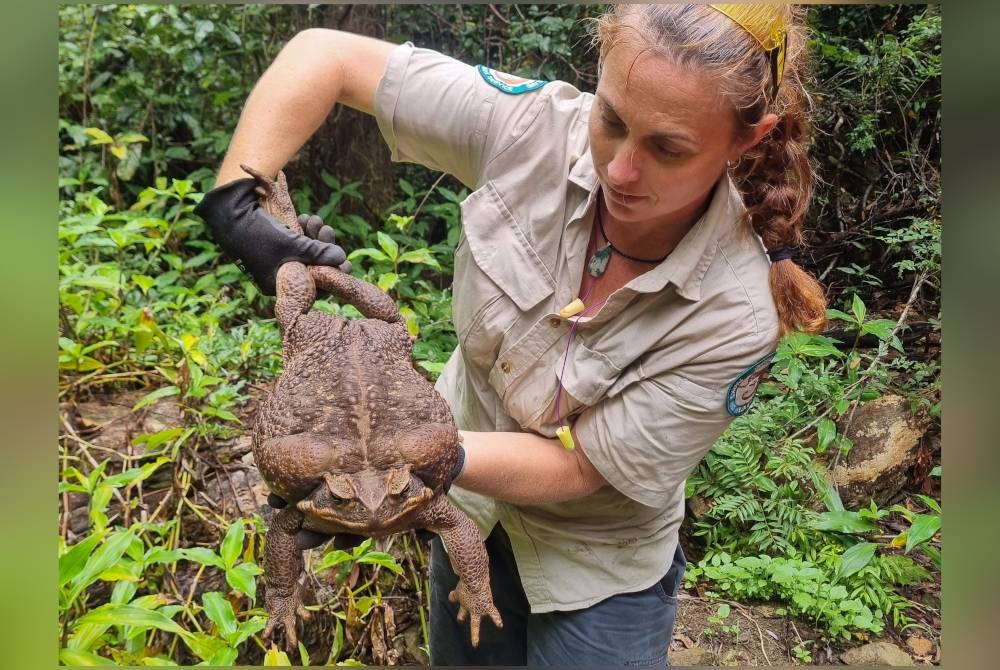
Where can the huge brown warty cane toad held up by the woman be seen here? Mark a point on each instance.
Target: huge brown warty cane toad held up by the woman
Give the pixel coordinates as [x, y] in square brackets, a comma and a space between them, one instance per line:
[352, 436]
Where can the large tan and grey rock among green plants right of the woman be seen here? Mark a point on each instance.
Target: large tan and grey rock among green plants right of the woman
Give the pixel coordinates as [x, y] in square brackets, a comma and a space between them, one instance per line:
[886, 437]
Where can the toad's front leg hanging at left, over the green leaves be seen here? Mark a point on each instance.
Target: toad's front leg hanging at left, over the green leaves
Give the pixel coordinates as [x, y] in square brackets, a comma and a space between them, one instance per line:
[282, 567]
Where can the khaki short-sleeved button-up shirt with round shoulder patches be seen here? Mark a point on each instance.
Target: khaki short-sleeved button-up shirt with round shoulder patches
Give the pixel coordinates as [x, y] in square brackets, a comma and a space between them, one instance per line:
[646, 378]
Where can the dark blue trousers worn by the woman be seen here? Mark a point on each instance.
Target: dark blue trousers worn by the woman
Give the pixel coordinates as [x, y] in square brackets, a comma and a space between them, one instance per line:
[628, 629]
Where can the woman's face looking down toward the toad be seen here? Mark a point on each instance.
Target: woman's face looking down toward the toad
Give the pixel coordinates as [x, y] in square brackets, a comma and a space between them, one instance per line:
[660, 137]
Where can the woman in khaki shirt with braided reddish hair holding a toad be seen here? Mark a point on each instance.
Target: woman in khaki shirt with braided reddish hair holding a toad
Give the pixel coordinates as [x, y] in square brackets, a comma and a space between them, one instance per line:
[622, 278]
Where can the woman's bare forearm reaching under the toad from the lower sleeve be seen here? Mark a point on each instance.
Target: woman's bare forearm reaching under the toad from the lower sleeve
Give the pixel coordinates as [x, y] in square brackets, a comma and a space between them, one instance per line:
[525, 468]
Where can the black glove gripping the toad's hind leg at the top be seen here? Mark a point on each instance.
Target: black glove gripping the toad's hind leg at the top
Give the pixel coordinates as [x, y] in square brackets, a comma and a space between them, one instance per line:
[259, 242]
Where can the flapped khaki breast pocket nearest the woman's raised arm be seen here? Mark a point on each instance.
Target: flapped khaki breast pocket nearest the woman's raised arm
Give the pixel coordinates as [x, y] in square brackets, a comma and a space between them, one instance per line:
[498, 275]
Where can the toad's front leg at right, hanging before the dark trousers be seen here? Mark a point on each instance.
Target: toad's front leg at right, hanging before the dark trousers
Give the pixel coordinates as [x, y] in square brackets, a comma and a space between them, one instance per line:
[469, 560]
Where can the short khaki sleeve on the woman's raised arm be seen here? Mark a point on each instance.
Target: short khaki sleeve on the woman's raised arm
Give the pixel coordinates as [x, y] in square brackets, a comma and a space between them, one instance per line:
[439, 112]
